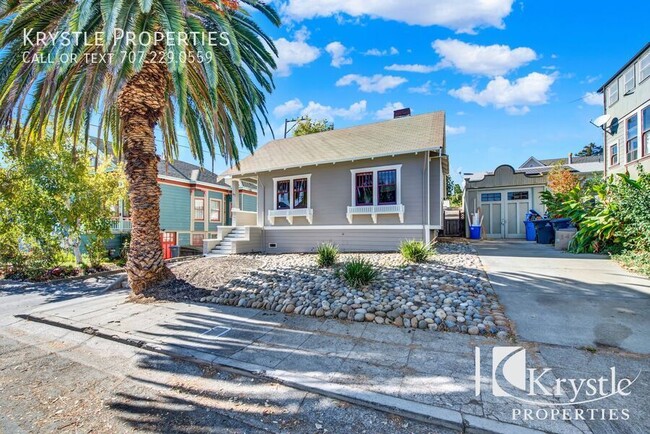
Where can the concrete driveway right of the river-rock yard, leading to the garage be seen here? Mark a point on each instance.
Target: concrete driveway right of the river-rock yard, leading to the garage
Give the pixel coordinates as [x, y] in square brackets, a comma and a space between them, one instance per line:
[565, 299]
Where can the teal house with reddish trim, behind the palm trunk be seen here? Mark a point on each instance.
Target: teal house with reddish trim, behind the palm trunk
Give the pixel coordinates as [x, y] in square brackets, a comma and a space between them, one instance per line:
[193, 205]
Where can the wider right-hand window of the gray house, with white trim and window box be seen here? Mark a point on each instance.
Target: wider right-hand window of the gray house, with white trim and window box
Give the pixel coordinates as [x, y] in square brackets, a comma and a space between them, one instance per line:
[376, 191]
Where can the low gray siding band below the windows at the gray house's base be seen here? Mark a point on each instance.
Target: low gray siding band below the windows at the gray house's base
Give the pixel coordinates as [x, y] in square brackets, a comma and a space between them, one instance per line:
[349, 240]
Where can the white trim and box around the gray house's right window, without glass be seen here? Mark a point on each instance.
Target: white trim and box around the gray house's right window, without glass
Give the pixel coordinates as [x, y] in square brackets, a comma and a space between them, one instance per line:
[376, 209]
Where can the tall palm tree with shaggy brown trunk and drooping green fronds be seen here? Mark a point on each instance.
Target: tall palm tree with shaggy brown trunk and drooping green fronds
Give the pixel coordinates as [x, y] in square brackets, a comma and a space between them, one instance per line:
[202, 64]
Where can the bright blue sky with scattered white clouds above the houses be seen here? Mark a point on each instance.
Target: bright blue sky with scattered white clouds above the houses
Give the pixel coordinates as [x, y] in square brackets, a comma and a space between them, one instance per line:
[514, 77]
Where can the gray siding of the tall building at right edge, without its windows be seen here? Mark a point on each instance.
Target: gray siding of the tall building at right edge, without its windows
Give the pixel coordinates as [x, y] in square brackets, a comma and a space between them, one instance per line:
[626, 106]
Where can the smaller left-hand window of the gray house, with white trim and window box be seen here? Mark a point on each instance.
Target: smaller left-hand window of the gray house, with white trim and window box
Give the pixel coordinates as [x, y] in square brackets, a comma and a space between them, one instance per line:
[292, 198]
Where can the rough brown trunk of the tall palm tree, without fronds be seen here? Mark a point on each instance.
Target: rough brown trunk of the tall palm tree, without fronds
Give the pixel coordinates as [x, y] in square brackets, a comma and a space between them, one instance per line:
[141, 103]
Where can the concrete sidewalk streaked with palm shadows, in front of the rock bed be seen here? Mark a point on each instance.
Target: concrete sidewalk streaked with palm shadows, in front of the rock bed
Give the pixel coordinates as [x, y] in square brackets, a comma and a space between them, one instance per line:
[424, 375]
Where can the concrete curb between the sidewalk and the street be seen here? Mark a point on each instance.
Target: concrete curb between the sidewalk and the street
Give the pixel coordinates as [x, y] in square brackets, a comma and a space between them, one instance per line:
[426, 413]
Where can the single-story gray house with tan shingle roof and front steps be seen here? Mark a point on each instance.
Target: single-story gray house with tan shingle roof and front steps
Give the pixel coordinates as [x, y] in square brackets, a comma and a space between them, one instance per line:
[364, 188]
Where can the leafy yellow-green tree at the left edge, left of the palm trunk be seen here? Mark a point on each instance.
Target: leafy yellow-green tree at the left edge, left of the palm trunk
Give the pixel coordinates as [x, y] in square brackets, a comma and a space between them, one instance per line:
[54, 198]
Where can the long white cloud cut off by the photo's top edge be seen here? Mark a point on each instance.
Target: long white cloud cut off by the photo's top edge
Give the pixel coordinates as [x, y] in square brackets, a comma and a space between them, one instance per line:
[464, 17]
